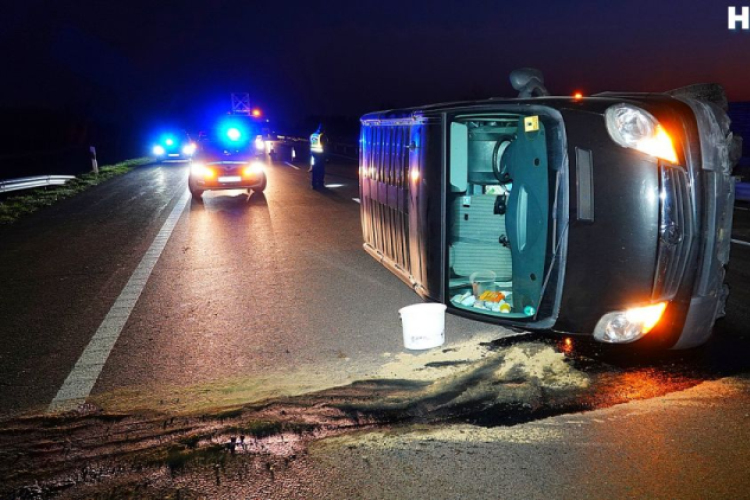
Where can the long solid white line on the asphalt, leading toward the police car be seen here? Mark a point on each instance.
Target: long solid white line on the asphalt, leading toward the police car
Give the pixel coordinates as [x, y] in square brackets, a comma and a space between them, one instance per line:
[87, 369]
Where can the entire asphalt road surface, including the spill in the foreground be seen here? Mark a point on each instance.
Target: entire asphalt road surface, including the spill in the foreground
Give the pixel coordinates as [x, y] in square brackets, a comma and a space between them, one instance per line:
[228, 317]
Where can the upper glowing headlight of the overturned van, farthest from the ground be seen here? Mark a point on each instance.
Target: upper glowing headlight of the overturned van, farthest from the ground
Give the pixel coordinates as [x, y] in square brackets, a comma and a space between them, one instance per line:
[633, 127]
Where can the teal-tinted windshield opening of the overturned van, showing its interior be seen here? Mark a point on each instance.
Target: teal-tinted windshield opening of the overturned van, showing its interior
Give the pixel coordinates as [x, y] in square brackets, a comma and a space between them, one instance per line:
[499, 212]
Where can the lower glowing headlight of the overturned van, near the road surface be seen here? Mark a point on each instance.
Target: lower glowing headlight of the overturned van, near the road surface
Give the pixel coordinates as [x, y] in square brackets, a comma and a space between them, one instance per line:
[627, 326]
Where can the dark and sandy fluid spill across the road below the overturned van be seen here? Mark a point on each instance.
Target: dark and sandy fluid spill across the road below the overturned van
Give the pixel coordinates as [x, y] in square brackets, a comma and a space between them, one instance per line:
[262, 449]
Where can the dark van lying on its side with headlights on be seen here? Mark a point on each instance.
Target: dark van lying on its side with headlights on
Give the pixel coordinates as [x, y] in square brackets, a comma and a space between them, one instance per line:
[608, 216]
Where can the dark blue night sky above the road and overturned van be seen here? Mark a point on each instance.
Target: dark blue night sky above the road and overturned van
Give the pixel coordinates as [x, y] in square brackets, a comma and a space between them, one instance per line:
[141, 61]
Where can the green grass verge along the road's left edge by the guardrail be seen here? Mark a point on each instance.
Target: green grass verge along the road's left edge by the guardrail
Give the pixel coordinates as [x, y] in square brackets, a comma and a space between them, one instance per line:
[17, 205]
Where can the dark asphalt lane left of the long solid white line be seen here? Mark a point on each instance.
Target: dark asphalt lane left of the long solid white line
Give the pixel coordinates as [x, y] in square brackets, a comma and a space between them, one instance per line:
[62, 268]
